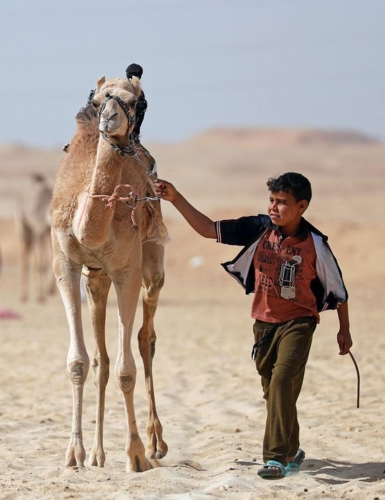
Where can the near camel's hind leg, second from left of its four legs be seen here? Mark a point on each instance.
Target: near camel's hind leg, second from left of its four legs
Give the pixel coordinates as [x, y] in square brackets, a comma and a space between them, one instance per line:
[97, 285]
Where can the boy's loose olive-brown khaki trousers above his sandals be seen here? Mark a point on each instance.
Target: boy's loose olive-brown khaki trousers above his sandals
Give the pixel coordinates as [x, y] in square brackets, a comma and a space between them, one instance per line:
[281, 362]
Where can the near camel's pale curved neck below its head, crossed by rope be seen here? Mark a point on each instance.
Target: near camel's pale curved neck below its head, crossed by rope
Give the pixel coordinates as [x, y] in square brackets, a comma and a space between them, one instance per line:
[93, 219]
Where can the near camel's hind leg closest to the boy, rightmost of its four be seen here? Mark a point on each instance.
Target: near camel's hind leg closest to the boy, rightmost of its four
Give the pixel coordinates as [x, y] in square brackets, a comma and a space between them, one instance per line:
[153, 279]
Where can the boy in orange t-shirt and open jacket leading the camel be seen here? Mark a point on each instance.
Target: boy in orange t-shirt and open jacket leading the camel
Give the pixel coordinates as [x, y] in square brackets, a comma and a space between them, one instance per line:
[290, 267]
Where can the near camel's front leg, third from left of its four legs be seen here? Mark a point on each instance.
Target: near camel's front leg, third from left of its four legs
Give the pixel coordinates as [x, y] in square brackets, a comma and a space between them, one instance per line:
[127, 291]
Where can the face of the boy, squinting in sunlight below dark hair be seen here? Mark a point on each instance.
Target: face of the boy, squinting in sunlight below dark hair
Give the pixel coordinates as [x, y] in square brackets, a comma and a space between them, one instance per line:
[284, 210]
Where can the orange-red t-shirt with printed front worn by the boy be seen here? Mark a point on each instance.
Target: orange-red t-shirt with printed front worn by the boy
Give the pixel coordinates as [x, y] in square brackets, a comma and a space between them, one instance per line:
[284, 271]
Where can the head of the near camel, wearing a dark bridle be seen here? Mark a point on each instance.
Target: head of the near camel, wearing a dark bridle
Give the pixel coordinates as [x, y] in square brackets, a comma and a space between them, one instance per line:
[116, 105]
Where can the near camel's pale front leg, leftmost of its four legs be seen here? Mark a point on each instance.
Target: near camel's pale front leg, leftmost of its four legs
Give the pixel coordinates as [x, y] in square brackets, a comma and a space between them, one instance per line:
[68, 280]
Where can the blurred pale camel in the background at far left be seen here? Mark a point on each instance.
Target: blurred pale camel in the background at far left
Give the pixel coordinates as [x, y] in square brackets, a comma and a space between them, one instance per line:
[35, 241]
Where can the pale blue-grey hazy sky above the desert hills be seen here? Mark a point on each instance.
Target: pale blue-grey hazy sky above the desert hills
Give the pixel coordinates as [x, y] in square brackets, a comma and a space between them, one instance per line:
[207, 63]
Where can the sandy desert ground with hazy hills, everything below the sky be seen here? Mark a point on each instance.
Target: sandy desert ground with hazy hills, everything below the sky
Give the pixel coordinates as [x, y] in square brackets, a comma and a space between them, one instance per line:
[208, 393]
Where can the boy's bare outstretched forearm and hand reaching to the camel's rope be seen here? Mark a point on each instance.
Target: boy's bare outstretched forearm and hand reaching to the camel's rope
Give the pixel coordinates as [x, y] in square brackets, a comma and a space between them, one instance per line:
[202, 224]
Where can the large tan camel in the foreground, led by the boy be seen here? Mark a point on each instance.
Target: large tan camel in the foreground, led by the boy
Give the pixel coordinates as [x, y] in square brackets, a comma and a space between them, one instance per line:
[107, 226]
